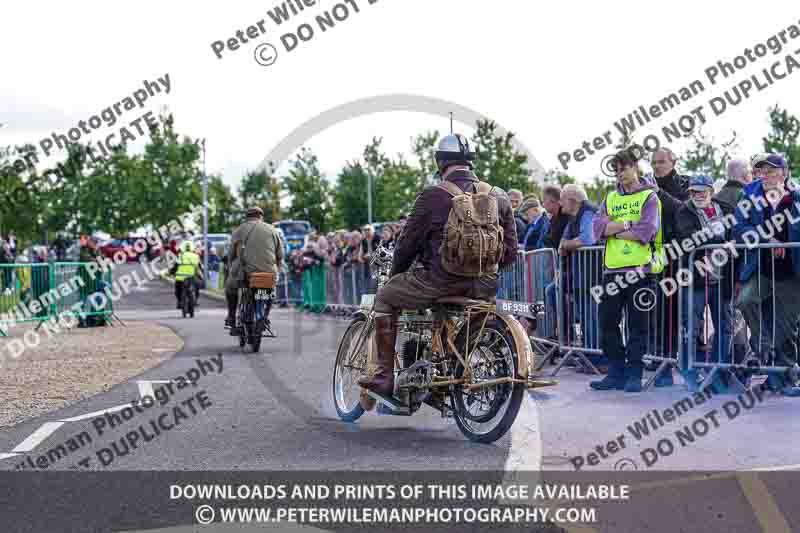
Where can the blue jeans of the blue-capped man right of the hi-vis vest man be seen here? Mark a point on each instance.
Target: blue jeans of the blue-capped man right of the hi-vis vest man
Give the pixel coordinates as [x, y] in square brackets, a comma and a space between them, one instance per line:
[721, 317]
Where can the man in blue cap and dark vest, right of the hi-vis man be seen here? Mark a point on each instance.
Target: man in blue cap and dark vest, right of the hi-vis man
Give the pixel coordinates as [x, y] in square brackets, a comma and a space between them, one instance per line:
[705, 215]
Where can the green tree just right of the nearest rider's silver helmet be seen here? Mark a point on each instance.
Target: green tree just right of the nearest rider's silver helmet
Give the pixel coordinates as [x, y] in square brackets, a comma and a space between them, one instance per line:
[498, 162]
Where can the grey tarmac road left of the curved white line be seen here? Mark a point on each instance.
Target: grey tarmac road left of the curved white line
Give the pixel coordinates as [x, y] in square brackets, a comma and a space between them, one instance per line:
[270, 410]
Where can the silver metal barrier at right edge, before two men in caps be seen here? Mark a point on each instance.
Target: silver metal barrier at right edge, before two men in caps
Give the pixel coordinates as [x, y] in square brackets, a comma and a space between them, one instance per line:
[769, 303]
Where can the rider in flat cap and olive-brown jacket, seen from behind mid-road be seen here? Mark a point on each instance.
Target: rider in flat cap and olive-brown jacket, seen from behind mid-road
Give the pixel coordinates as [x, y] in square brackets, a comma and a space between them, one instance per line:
[255, 247]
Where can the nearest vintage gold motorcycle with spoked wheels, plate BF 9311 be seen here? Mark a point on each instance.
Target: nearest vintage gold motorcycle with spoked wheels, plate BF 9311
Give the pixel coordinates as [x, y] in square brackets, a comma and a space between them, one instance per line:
[461, 357]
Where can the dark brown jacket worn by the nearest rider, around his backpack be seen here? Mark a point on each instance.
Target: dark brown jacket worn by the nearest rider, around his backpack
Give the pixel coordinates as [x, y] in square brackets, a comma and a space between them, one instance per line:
[422, 235]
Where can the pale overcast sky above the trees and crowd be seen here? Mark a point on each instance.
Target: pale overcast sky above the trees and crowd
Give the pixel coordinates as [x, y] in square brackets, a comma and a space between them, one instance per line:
[556, 73]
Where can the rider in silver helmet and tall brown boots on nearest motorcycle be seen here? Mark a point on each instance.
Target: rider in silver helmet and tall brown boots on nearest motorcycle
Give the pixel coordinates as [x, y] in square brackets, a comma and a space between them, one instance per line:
[421, 239]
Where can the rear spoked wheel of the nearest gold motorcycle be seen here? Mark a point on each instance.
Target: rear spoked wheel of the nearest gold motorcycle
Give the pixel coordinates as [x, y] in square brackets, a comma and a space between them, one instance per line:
[485, 414]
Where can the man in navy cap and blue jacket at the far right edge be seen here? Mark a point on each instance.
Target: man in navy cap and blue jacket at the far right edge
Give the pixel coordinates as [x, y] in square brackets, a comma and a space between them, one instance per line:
[768, 213]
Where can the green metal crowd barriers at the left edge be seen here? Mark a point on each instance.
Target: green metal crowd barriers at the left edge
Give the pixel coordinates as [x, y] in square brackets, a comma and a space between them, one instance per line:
[37, 292]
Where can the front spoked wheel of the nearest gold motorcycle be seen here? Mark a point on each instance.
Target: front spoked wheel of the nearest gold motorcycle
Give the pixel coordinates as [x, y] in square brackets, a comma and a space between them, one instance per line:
[351, 361]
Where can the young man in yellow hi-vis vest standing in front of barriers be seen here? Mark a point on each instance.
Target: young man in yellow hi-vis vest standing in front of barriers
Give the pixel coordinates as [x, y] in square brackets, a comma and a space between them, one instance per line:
[630, 222]
